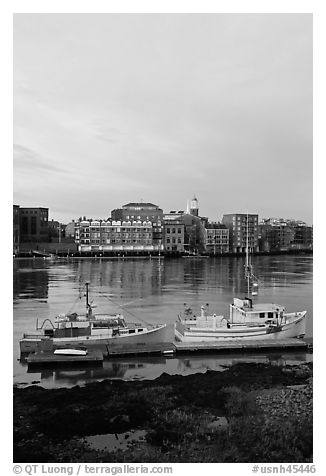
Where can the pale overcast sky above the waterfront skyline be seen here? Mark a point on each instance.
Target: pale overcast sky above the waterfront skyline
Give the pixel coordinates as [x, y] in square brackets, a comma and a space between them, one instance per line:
[113, 108]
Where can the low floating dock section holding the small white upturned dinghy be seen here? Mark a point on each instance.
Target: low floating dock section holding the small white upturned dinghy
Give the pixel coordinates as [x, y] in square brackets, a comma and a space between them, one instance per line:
[93, 357]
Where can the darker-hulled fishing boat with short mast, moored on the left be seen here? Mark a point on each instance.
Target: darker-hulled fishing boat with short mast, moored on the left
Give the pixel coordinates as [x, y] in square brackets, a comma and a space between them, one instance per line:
[90, 330]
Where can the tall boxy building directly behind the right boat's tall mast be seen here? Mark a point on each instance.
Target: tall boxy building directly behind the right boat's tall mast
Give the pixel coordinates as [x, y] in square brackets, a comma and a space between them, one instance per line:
[243, 229]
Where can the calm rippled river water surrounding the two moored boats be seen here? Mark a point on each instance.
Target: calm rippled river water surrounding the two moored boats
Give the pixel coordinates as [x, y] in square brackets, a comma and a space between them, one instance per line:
[151, 290]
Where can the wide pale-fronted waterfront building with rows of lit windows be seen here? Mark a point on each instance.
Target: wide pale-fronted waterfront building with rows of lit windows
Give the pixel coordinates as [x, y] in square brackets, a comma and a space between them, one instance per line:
[118, 236]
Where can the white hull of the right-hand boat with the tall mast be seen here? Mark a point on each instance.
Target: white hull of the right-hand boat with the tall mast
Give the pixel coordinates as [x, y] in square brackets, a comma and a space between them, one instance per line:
[295, 328]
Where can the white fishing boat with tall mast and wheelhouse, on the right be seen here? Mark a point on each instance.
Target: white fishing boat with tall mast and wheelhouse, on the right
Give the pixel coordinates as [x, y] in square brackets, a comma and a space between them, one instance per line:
[247, 319]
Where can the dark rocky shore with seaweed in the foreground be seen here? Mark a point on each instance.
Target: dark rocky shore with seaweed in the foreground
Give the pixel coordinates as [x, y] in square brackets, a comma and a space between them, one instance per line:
[247, 413]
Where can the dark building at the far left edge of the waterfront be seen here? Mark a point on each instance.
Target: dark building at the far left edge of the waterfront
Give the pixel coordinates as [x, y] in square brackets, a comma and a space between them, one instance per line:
[33, 223]
